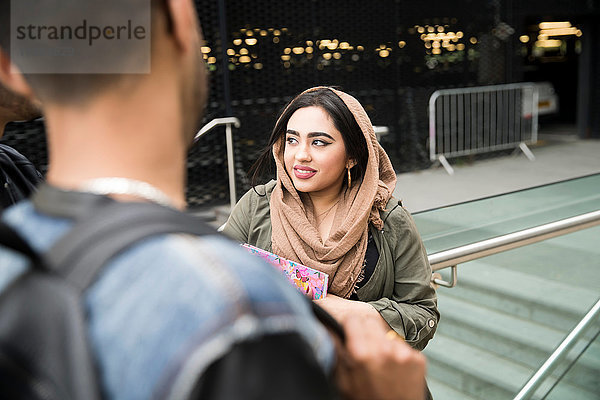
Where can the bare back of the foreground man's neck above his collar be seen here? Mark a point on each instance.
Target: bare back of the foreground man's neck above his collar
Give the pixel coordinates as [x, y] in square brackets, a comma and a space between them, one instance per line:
[137, 137]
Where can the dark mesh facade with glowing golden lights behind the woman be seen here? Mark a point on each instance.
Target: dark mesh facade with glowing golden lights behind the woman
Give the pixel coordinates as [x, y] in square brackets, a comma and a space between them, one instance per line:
[262, 53]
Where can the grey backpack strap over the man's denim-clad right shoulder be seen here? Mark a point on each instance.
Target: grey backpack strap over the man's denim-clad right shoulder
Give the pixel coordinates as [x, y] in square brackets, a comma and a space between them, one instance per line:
[112, 228]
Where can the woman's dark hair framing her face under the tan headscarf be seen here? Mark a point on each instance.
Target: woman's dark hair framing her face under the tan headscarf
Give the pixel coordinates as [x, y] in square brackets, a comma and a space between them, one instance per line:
[343, 119]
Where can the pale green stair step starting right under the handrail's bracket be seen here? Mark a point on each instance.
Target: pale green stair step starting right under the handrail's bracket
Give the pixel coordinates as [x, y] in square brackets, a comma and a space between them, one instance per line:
[530, 297]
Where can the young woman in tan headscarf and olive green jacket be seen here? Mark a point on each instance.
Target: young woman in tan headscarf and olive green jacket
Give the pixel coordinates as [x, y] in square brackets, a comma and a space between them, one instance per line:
[331, 208]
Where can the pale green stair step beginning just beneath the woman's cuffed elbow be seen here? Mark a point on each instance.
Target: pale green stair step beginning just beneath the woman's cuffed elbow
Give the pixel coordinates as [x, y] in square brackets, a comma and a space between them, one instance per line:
[483, 374]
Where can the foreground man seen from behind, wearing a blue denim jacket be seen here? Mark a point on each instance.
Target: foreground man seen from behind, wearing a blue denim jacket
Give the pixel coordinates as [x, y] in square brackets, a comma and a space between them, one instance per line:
[178, 316]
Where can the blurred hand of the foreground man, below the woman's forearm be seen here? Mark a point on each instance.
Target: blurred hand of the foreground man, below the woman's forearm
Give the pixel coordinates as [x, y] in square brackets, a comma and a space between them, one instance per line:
[376, 364]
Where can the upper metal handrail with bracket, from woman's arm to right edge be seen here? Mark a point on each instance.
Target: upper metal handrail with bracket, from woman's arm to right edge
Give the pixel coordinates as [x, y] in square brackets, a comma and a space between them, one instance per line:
[455, 256]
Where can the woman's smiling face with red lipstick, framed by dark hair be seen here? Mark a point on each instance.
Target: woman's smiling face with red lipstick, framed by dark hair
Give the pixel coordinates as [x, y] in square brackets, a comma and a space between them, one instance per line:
[315, 155]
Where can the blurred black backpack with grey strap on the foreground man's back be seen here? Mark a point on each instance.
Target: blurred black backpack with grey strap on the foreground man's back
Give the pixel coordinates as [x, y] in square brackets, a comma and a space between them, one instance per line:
[44, 352]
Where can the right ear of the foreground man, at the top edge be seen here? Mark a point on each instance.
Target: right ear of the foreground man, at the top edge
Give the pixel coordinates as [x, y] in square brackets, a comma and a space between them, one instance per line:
[184, 23]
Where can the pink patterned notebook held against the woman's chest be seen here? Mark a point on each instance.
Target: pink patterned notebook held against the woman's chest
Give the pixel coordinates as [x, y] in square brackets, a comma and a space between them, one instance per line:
[301, 275]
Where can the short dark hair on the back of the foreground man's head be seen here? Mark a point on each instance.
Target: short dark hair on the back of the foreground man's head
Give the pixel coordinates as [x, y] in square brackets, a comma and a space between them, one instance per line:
[76, 88]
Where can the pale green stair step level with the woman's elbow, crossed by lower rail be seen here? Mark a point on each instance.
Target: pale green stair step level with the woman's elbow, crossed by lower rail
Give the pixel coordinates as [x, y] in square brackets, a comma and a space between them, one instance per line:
[514, 338]
